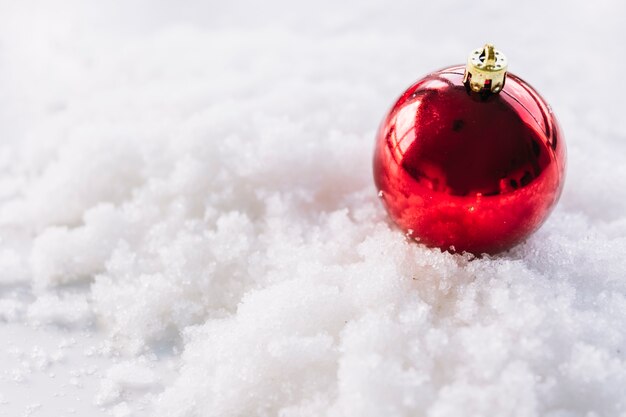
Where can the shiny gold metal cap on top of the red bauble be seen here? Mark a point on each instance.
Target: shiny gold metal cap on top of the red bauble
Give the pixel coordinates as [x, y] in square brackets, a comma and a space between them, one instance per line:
[486, 70]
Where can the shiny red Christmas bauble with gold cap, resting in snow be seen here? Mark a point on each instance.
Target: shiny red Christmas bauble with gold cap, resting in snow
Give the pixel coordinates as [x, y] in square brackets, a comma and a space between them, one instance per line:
[469, 167]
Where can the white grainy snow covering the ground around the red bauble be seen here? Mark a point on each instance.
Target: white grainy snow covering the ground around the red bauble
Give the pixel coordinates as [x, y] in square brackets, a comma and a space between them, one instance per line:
[188, 225]
